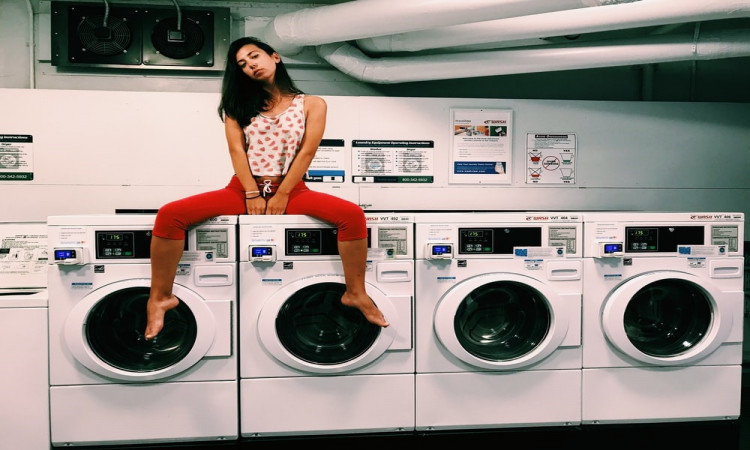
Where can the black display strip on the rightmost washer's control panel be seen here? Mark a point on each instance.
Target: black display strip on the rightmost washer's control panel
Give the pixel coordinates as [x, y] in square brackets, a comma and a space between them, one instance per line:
[661, 238]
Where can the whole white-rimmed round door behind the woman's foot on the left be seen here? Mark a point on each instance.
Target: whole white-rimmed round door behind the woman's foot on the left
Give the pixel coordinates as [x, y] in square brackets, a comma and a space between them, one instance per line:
[104, 332]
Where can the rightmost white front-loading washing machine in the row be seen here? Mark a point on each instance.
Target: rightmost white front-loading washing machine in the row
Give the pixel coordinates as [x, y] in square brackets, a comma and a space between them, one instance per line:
[662, 316]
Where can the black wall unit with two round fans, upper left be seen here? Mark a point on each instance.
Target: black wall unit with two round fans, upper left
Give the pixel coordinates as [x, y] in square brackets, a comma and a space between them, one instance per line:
[139, 37]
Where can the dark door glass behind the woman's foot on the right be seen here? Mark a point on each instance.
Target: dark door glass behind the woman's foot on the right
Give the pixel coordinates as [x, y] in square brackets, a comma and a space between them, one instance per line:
[314, 326]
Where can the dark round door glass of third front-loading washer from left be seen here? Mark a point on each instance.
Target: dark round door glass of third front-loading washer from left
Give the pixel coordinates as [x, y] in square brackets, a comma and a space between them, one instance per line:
[502, 320]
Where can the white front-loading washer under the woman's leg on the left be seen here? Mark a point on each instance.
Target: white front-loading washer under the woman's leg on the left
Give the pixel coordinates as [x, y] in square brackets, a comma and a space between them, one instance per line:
[108, 385]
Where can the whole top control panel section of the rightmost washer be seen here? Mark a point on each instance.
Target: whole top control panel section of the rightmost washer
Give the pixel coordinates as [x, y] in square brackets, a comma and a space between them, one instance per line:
[648, 234]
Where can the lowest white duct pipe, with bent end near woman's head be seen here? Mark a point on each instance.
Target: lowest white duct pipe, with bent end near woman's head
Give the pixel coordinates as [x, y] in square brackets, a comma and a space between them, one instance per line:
[655, 49]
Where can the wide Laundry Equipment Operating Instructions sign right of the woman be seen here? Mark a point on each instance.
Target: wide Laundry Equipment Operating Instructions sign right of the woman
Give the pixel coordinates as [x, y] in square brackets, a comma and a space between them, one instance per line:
[397, 161]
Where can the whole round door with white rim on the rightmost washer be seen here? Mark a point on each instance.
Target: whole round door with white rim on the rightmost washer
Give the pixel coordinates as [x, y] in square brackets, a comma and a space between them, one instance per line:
[665, 318]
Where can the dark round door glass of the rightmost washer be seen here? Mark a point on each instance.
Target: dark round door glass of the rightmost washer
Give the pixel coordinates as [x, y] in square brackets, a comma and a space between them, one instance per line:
[667, 317]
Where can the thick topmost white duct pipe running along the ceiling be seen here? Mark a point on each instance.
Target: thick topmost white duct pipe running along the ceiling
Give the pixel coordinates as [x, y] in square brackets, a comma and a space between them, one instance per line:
[287, 33]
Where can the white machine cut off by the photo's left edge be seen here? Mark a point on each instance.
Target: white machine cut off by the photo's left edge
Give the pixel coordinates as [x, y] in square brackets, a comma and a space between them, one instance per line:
[24, 414]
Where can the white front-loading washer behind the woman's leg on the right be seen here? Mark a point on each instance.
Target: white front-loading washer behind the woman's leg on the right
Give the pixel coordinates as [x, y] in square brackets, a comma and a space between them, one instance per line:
[308, 364]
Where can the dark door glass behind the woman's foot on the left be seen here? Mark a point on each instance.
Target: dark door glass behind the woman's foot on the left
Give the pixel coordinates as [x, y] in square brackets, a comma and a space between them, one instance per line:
[114, 331]
